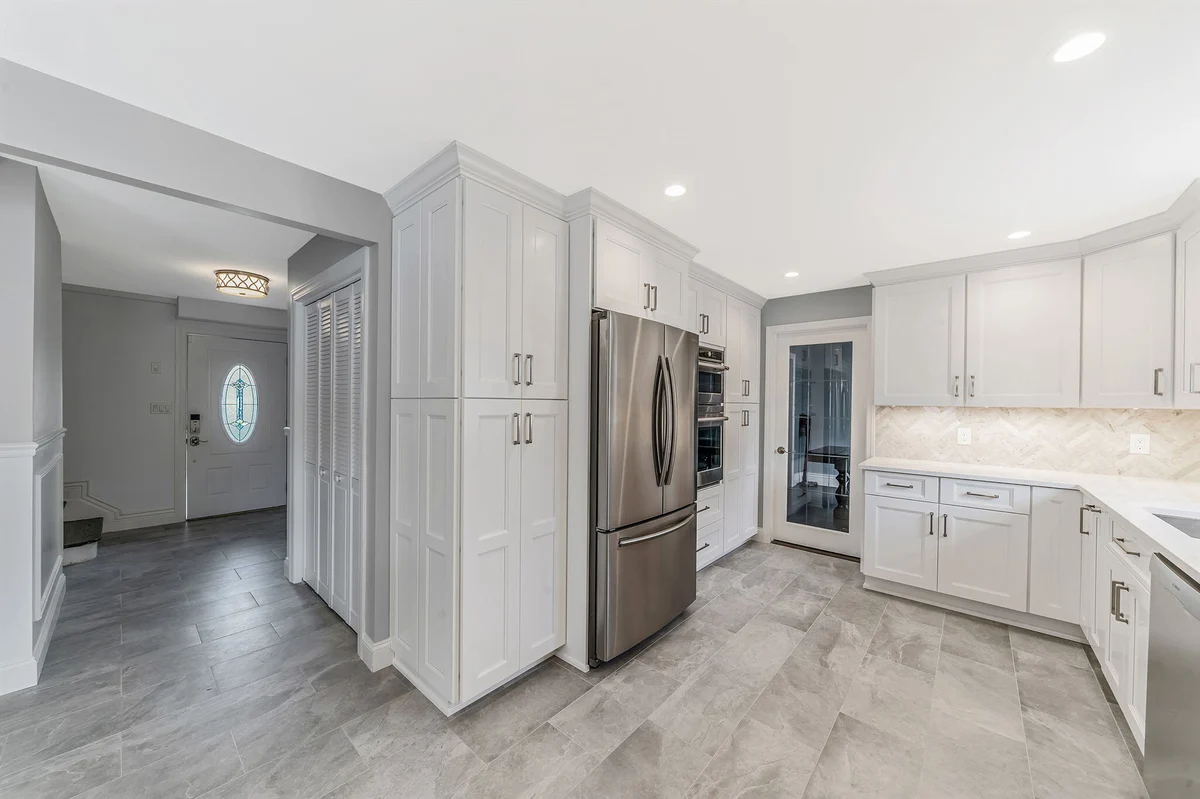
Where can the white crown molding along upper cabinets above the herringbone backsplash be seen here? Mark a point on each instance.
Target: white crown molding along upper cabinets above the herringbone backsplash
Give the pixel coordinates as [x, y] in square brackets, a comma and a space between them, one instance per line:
[1184, 208]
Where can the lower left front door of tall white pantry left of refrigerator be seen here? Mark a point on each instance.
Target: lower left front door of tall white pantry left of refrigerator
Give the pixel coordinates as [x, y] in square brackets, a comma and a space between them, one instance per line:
[491, 543]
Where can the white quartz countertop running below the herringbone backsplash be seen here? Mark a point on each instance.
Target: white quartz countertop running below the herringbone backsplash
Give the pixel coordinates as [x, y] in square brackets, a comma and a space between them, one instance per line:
[1135, 501]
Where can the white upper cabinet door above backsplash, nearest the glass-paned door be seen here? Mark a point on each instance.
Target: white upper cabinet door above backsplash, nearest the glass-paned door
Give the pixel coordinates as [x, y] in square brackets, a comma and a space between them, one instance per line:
[920, 343]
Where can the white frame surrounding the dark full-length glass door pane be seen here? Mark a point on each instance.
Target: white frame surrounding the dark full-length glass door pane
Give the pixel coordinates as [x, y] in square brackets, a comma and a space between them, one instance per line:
[775, 382]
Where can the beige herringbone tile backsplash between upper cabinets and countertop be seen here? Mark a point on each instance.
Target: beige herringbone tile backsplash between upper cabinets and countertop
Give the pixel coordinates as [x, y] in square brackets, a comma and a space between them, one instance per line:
[1073, 440]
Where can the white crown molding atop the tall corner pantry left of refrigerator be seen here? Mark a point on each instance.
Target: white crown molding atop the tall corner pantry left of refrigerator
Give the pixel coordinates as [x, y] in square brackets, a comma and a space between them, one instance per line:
[460, 160]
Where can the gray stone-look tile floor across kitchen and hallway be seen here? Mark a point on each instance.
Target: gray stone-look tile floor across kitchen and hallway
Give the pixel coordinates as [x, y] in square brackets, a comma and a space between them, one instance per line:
[187, 666]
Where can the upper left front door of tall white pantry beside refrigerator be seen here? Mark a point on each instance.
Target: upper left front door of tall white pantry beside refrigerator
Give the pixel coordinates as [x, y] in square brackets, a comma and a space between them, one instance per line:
[491, 293]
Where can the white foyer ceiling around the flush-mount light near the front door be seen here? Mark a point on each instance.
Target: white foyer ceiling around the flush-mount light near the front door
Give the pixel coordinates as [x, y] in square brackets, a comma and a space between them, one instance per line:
[129, 239]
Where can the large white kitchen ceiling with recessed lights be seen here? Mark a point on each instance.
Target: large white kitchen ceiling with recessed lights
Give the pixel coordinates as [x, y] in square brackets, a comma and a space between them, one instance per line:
[819, 136]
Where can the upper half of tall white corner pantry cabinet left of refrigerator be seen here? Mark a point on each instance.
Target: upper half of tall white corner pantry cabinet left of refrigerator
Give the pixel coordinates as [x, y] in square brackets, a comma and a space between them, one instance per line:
[508, 262]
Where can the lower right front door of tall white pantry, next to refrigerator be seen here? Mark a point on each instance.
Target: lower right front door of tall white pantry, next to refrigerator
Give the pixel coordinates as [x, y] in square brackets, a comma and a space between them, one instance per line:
[543, 530]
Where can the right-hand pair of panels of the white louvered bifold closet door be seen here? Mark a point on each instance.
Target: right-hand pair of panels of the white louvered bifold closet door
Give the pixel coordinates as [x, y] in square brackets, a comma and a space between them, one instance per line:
[340, 561]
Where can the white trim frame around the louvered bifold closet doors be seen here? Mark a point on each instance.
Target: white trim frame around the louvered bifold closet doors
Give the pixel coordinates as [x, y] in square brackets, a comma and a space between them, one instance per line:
[343, 274]
